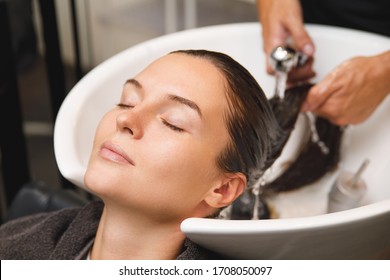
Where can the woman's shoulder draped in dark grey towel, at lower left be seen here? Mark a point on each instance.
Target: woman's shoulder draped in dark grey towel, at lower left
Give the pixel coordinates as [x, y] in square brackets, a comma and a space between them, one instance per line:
[38, 235]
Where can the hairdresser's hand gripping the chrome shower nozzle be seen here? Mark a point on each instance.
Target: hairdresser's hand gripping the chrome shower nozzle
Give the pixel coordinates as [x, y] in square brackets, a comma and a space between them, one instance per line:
[280, 20]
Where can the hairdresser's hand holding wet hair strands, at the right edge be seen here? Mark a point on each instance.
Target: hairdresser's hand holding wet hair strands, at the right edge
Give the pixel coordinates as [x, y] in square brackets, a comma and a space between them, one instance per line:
[352, 91]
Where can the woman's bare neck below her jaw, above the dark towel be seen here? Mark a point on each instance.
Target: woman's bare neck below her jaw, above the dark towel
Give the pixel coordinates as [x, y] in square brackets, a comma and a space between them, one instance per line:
[125, 235]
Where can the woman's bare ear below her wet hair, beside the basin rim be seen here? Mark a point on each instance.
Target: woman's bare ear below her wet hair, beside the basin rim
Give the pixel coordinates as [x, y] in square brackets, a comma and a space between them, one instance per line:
[227, 192]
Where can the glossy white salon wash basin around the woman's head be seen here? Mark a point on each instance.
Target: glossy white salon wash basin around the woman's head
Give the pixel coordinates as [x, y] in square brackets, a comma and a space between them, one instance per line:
[303, 229]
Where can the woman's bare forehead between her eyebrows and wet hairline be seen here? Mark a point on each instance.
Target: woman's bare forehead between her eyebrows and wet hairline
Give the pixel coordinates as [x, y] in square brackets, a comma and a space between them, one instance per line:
[195, 78]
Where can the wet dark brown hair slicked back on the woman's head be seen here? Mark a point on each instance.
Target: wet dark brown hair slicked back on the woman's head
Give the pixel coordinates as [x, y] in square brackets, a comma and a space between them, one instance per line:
[250, 120]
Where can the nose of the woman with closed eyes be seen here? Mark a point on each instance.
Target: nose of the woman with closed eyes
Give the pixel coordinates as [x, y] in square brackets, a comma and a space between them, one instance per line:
[129, 122]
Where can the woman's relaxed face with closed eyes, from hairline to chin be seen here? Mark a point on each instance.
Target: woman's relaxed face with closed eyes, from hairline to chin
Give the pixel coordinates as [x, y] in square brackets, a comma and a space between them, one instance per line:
[156, 151]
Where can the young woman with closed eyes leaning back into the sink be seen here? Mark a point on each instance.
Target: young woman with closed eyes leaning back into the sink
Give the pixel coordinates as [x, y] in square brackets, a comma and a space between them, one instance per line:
[187, 135]
